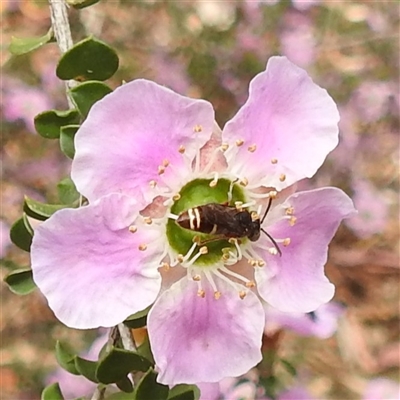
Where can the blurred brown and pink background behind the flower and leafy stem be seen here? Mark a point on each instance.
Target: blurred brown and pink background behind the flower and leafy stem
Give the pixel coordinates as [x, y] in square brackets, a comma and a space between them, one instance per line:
[211, 50]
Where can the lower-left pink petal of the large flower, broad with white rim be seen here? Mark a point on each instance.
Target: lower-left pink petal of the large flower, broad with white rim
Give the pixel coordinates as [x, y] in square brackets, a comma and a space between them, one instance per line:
[89, 267]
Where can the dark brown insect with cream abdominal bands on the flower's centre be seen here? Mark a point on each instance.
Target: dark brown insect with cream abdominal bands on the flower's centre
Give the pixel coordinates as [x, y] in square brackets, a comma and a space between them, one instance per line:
[225, 222]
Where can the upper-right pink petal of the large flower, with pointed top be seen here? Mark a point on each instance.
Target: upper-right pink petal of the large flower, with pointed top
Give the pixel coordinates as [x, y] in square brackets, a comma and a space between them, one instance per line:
[290, 119]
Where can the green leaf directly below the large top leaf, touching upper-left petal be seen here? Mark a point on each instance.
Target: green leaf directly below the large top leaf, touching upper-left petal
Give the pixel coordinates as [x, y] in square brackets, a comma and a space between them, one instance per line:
[88, 93]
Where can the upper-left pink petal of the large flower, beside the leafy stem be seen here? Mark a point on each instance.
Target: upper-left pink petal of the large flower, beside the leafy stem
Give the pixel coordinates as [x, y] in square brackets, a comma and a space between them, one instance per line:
[131, 132]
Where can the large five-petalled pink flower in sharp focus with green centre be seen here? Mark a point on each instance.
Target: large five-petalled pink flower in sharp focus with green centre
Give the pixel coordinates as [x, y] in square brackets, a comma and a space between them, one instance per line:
[144, 156]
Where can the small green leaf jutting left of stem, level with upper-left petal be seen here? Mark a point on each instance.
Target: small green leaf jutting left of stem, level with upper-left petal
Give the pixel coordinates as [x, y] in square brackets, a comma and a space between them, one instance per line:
[48, 123]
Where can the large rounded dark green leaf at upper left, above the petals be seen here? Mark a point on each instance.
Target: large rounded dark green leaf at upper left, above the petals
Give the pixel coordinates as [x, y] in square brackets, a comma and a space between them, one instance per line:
[89, 59]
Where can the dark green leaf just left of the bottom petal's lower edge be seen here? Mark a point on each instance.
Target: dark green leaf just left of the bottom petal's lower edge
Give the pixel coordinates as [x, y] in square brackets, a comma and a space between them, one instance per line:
[118, 363]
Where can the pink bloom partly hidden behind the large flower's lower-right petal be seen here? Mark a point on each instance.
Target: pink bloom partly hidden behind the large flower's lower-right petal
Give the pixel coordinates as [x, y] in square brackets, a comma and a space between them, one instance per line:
[321, 323]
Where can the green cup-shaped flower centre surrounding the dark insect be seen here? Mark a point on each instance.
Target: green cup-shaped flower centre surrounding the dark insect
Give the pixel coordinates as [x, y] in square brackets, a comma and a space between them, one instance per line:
[197, 193]
